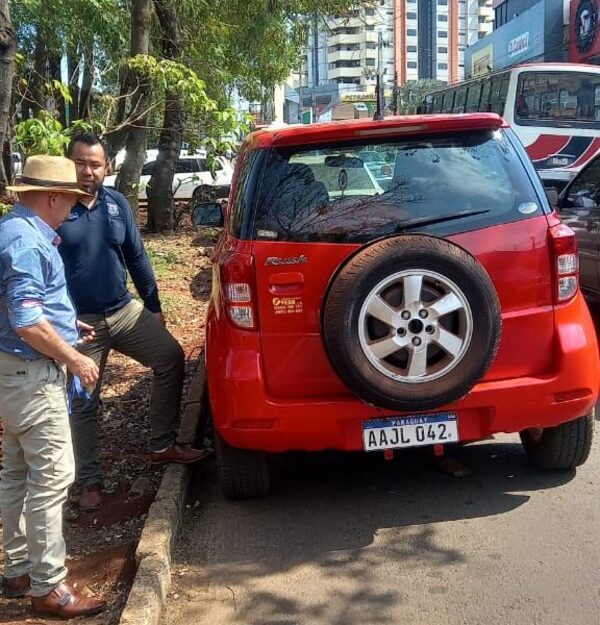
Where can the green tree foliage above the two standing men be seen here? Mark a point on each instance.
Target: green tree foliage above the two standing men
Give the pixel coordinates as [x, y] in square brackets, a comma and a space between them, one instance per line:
[75, 64]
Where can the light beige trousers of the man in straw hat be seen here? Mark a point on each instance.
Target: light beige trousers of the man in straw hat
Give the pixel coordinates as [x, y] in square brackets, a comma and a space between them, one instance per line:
[37, 469]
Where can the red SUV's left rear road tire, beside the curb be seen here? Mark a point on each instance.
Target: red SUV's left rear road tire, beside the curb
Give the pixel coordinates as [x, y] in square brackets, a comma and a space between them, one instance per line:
[243, 473]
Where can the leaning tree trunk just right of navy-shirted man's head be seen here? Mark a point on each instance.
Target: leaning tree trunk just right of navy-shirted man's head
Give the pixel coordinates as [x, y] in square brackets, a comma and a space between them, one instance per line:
[137, 134]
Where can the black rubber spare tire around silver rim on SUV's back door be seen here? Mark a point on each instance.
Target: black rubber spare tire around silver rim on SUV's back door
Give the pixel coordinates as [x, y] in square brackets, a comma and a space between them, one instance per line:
[362, 273]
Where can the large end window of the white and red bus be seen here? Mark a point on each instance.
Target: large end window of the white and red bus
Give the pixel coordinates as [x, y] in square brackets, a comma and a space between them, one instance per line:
[568, 98]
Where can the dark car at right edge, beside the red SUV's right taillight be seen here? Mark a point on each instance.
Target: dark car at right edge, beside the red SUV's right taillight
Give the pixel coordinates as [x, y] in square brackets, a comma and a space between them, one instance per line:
[579, 207]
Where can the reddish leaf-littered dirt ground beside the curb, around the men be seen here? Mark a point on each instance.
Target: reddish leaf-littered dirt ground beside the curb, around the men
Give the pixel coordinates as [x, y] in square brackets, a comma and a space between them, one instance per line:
[101, 545]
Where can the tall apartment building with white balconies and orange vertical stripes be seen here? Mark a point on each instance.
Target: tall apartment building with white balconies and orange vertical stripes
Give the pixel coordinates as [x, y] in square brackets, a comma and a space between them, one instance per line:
[404, 39]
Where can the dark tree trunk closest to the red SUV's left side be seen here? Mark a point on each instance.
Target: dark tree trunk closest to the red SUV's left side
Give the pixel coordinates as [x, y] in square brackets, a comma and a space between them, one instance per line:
[160, 188]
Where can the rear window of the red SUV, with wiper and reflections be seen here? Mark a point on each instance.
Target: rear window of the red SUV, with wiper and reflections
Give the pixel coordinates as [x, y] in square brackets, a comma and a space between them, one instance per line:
[360, 191]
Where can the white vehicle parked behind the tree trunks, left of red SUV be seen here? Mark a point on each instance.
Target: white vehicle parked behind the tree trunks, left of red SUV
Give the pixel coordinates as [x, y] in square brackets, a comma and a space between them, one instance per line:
[192, 172]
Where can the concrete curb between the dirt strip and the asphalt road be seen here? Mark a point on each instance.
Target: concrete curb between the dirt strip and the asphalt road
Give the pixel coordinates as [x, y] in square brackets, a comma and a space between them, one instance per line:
[152, 581]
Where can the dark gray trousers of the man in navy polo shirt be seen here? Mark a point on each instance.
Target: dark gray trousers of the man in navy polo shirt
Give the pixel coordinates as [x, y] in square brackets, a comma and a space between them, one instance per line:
[135, 332]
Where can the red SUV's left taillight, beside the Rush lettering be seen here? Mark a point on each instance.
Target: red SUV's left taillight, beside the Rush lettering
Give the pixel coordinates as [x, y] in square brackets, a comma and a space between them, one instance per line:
[237, 280]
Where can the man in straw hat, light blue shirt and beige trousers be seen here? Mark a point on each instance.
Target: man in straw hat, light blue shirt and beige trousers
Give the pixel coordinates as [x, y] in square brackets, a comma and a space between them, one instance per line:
[38, 335]
